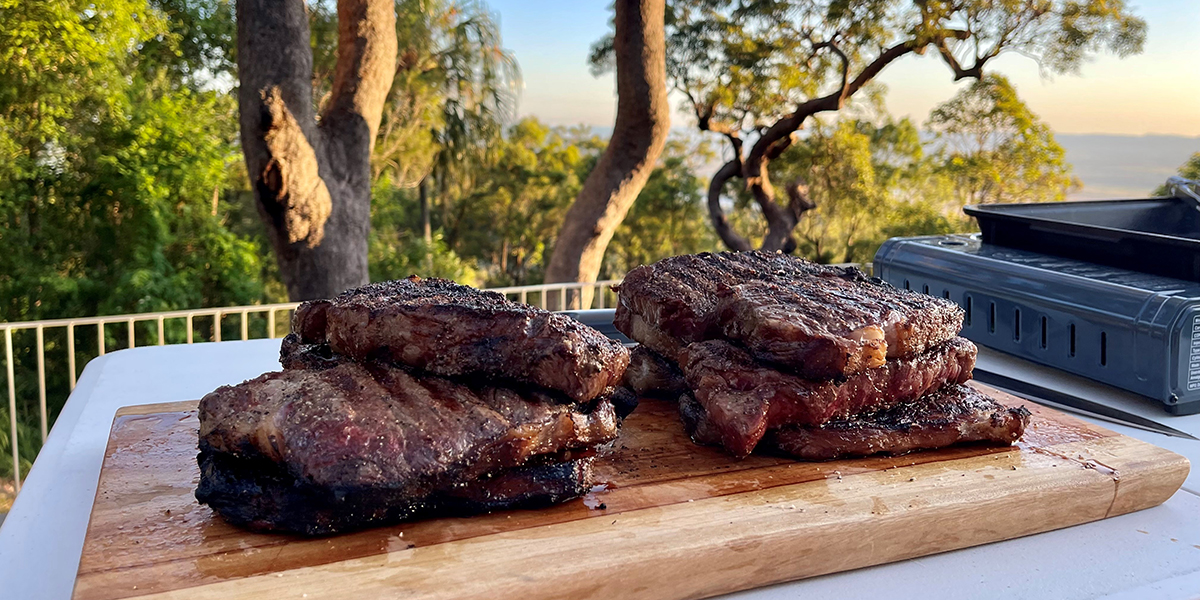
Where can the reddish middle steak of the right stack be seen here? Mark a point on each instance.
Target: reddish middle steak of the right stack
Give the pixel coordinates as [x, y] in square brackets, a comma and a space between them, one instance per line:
[746, 398]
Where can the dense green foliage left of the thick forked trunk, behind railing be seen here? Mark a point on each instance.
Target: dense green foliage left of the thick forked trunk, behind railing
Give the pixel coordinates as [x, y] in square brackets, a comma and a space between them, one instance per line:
[113, 160]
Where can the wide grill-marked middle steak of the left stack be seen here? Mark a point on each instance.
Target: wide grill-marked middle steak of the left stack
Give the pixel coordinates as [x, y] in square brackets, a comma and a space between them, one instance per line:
[351, 427]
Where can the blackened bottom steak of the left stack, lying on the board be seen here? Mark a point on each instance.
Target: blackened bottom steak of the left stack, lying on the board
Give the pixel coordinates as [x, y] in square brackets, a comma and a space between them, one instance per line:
[262, 495]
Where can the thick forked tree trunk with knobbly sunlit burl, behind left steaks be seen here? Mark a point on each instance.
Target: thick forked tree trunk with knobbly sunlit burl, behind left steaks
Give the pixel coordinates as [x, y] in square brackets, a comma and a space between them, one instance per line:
[313, 181]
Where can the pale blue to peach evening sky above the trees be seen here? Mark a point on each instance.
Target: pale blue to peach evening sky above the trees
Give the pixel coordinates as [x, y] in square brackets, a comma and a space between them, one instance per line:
[1154, 93]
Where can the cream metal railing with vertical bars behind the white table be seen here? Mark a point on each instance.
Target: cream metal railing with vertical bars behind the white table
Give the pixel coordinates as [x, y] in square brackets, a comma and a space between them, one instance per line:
[106, 334]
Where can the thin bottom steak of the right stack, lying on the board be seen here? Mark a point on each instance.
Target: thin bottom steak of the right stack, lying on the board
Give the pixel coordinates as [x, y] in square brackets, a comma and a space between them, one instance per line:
[952, 416]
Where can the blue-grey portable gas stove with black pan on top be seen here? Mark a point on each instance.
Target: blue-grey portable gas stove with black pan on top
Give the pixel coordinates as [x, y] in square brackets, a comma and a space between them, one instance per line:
[1106, 290]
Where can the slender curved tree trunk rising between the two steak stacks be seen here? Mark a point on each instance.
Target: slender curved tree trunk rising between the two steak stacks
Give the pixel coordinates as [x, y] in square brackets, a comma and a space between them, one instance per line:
[644, 118]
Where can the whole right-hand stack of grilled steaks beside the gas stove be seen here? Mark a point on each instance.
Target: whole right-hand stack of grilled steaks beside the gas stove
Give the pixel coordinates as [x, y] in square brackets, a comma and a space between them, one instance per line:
[772, 352]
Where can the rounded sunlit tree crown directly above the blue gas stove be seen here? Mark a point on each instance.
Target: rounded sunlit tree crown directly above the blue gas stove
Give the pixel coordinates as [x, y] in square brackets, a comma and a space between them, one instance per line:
[995, 149]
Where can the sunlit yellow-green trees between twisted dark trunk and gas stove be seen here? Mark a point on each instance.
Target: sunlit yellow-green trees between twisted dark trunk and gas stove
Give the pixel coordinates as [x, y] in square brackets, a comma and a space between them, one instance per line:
[874, 178]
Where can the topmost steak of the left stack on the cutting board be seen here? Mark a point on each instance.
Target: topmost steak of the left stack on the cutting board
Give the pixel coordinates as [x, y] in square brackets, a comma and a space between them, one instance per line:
[453, 331]
